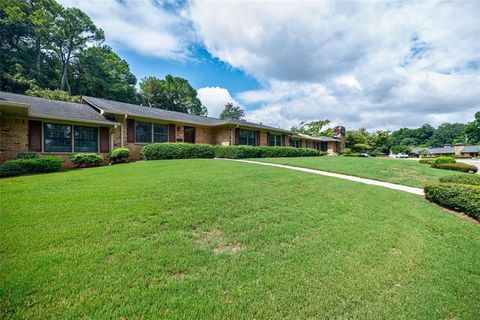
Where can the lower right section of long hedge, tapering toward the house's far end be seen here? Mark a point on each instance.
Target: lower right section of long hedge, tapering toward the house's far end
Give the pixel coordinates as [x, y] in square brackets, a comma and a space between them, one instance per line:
[240, 152]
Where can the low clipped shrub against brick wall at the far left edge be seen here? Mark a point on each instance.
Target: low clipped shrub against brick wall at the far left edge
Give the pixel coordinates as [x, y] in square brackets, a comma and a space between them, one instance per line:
[18, 167]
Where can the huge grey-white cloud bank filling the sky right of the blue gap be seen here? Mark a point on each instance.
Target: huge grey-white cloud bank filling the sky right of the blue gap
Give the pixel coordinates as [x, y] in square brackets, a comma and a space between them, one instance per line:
[362, 64]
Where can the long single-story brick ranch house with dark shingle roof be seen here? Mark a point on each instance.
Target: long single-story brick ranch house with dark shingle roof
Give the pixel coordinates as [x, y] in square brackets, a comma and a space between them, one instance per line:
[97, 125]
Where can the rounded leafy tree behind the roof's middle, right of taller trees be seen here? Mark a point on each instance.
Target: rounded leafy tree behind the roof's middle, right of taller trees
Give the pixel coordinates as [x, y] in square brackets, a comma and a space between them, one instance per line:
[171, 93]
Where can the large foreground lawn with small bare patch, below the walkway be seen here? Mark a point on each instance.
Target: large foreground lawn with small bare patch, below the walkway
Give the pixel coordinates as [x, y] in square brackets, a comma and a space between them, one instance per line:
[220, 239]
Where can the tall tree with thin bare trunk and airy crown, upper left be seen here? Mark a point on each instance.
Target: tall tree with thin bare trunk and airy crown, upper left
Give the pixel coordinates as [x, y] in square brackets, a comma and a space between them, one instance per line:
[73, 32]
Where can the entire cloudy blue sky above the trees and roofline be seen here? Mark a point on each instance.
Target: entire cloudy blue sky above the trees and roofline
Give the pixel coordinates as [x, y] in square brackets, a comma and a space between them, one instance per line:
[375, 64]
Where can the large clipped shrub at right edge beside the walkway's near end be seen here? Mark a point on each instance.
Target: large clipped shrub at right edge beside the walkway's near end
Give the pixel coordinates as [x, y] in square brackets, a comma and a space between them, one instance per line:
[460, 197]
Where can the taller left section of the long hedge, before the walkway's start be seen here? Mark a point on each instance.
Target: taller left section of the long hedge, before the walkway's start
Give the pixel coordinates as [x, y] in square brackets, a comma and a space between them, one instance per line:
[157, 151]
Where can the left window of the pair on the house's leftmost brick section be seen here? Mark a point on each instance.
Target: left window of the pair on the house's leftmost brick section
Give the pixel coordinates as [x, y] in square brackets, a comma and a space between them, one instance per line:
[57, 137]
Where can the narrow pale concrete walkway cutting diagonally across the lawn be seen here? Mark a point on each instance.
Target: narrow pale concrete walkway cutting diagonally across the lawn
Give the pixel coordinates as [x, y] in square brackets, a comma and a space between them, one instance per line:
[389, 185]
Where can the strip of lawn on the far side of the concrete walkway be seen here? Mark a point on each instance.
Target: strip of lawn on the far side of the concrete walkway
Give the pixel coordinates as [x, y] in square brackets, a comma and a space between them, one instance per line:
[399, 171]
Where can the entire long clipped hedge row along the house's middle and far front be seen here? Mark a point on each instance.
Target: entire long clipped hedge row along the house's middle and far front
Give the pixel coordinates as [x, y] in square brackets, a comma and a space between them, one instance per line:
[157, 151]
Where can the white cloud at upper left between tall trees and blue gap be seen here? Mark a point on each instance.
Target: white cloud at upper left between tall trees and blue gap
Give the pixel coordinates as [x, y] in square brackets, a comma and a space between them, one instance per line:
[142, 26]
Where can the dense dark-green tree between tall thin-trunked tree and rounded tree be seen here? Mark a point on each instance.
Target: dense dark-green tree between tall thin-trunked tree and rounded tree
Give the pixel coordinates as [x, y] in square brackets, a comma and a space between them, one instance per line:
[100, 72]
